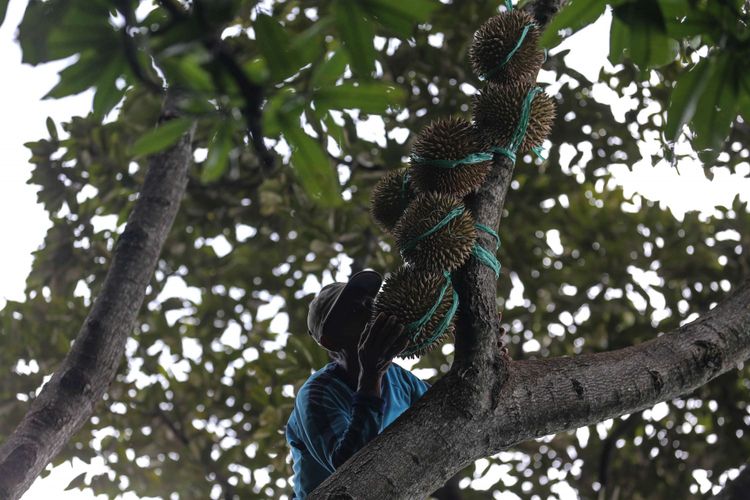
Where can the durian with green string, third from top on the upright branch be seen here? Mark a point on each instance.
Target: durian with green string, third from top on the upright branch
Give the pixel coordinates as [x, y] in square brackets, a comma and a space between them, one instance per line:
[448, 139]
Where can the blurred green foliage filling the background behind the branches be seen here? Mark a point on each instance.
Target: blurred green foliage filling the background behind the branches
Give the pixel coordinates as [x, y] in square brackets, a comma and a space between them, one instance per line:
[199, 406]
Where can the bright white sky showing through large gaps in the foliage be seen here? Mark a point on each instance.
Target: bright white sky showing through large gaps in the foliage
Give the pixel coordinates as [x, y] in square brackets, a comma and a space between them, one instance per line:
[25, 223]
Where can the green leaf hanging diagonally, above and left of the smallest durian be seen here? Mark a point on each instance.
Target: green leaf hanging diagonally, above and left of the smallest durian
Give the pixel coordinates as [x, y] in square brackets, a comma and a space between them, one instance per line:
[311, 164]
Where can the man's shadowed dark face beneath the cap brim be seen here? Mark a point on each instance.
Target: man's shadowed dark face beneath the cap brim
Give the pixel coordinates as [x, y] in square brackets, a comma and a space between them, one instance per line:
[345, 326]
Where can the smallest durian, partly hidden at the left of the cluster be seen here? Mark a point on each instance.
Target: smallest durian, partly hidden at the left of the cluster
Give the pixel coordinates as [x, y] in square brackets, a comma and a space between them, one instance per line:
[390, 197]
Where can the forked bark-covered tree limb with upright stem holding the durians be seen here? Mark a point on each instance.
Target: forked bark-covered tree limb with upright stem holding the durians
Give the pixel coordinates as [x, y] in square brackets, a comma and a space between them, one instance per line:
[487, 402]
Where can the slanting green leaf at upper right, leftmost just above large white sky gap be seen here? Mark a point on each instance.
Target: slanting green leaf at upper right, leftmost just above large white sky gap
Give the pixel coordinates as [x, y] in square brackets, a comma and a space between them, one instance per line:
[684, 98]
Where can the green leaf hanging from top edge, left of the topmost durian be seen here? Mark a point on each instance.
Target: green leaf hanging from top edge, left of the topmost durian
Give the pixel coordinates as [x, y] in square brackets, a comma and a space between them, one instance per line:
[357, 33]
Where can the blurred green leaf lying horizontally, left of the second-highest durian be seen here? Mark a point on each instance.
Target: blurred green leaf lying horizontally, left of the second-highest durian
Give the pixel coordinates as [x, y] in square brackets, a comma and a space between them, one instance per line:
[374, 97]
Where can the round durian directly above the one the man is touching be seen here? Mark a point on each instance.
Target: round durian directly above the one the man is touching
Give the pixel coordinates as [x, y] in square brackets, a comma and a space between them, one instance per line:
[444, 249]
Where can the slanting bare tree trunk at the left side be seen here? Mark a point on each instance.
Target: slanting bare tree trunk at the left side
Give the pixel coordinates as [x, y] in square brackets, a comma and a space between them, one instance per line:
[68, 399]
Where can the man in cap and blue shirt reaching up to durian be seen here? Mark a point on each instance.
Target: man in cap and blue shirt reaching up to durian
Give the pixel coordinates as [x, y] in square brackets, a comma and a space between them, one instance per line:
[345, 404]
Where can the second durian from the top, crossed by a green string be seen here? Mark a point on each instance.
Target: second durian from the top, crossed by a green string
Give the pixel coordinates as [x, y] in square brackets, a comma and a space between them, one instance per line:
[497, 110]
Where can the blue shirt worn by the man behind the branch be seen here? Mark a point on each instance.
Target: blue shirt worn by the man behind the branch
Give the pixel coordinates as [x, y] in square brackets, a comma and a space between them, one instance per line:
[330, 421]
